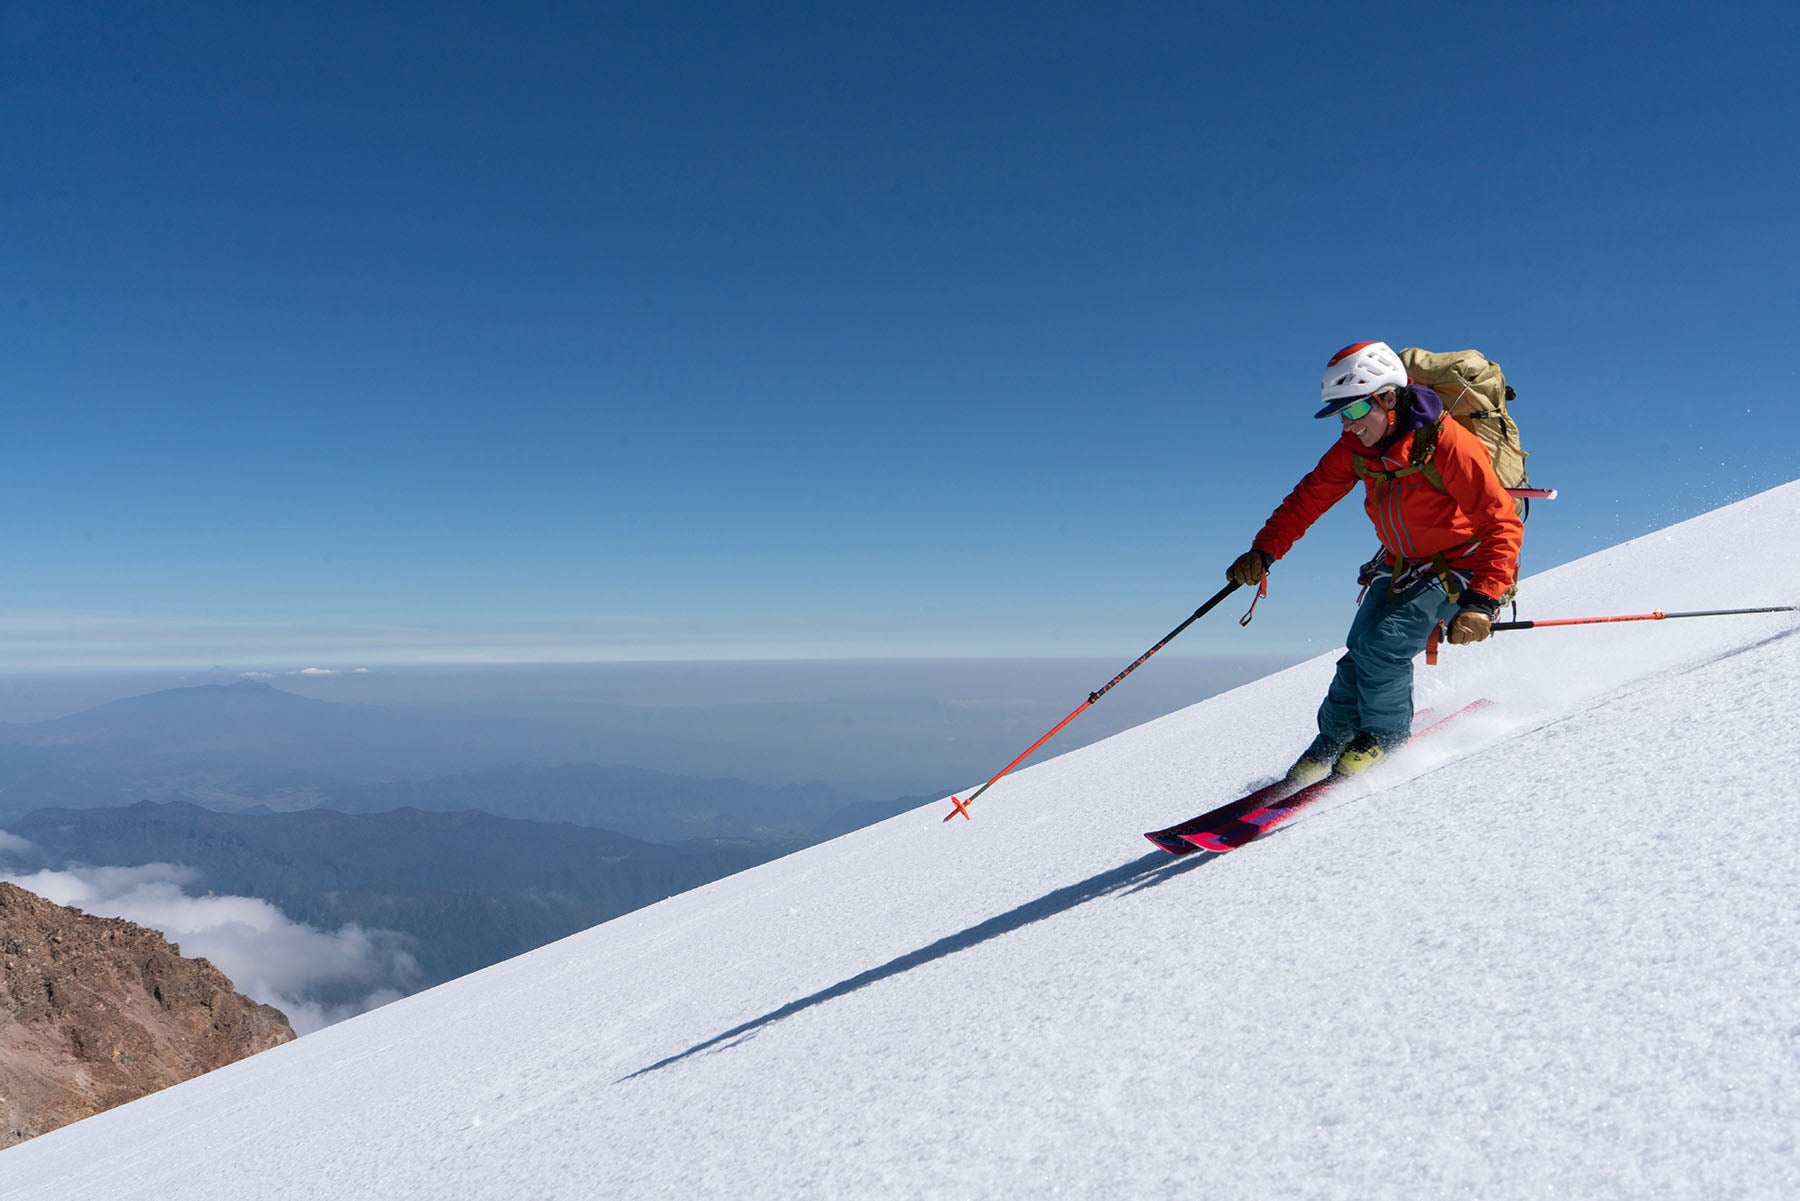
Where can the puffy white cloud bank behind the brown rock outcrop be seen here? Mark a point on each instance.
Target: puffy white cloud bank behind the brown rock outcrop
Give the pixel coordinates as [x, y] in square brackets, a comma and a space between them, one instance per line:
[267, 955]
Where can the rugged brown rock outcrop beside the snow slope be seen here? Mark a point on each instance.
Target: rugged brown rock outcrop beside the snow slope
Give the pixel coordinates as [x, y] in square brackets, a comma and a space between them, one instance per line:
[96, 1013]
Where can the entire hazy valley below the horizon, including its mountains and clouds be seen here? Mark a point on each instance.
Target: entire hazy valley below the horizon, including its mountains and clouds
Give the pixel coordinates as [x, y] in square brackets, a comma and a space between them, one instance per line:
[332, 856]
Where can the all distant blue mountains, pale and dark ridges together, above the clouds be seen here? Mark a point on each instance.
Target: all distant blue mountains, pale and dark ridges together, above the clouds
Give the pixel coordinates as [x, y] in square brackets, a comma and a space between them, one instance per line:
[474, 840]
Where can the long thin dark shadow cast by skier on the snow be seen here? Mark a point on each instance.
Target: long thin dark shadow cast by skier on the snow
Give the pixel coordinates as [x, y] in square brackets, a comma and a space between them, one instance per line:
[1126, 880]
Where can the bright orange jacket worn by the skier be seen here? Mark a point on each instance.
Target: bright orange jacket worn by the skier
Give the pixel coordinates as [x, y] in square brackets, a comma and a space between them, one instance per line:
[1473, 523]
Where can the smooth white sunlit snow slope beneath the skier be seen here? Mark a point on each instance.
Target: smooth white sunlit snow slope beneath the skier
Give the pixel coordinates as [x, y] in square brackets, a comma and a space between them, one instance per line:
[1549, 955]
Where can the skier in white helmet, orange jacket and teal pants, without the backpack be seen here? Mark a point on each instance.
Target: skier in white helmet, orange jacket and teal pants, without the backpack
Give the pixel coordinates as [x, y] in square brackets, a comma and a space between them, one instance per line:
[1450, 548]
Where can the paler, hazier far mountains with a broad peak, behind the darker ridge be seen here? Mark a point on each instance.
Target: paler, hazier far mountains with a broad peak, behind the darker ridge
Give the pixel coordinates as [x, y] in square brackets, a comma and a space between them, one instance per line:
[253, 748]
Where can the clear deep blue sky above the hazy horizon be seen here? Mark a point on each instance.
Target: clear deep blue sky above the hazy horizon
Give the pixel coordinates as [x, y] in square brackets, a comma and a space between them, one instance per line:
[395, 332]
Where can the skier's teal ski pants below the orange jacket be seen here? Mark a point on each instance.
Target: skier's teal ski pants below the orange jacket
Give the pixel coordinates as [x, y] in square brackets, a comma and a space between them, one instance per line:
[1374, 687]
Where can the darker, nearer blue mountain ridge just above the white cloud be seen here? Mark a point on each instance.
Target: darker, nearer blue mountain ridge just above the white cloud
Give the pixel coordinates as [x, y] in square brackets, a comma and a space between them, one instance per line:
[467, 889]
